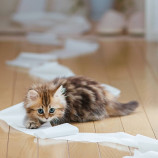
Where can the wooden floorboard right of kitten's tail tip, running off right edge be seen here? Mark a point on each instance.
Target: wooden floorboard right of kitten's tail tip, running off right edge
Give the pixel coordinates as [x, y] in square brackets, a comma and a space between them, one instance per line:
[146, 84]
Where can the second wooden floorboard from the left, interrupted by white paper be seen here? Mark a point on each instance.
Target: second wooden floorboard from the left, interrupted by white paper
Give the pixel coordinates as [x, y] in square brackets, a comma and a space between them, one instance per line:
[20, 144]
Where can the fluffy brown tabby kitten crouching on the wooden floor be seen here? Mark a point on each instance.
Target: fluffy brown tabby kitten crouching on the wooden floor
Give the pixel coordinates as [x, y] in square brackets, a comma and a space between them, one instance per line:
[73, 99]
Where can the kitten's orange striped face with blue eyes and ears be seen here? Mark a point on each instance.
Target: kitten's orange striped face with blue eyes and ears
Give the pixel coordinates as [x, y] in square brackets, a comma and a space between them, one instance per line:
[46, 106]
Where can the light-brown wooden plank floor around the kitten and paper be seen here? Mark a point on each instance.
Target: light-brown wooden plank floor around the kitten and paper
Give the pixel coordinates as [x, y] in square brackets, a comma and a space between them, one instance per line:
[131, 66]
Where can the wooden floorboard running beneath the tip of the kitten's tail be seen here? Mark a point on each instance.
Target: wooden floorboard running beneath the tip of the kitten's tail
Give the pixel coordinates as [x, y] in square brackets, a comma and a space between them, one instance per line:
[119, 76]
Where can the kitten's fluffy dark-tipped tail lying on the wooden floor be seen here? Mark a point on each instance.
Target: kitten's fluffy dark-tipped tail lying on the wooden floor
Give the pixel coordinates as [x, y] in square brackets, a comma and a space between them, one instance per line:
[115, 108]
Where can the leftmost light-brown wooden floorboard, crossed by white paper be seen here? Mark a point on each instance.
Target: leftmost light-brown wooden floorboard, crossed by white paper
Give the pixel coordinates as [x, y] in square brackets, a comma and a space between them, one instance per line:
[8, 50]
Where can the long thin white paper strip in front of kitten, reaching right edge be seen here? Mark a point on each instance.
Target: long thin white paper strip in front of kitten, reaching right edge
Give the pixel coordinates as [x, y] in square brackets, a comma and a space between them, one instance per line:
[143, 143]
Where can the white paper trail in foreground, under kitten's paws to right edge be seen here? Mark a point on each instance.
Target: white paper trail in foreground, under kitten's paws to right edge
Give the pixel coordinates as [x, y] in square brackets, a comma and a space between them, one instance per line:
[15, 116]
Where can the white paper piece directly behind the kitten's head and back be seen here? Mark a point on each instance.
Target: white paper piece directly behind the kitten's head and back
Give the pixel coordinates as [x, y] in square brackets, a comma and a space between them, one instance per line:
[50, 71]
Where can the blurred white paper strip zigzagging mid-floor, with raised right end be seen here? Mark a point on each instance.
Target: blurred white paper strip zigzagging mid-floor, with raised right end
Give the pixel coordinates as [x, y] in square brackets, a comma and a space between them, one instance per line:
[72, 48]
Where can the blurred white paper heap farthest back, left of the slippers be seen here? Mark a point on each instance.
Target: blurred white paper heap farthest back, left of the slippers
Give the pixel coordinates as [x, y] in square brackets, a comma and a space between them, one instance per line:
[56, 23]
